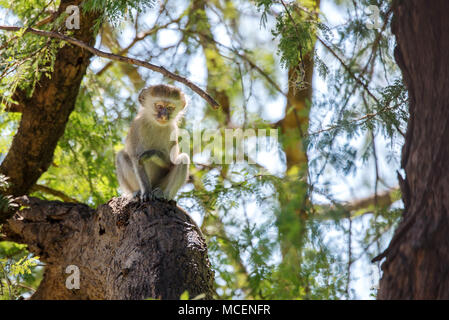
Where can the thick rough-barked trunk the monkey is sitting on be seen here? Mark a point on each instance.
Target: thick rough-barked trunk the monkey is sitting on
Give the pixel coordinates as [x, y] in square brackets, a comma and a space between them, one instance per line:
[124, 250]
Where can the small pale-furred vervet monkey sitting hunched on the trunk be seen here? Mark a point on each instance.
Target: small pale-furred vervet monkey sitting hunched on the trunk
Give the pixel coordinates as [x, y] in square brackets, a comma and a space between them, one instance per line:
[150, 165]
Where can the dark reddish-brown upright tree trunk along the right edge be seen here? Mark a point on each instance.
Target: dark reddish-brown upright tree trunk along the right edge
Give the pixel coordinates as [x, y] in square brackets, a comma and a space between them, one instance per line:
[417, 260]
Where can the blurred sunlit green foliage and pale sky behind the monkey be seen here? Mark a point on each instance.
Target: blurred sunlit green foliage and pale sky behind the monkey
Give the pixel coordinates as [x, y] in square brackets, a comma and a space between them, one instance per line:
[301, 220]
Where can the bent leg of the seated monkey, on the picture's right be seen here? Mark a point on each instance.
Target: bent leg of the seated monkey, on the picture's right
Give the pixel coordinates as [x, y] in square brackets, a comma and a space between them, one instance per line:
[176, 177]
